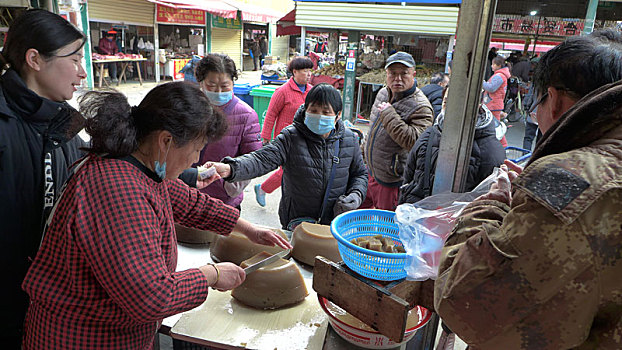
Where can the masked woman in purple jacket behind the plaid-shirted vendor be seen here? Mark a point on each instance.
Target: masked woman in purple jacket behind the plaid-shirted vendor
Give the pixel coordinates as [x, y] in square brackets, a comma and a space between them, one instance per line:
[216, 74]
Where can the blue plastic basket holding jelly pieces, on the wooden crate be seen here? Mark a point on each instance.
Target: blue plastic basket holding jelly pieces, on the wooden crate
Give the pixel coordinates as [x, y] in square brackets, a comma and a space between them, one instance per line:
[371, 264]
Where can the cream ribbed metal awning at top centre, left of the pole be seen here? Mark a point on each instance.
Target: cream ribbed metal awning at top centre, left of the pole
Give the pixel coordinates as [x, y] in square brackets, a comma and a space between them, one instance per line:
[438, 20]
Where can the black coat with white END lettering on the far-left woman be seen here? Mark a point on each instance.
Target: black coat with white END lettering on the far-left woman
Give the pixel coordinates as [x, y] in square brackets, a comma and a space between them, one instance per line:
[38, 144]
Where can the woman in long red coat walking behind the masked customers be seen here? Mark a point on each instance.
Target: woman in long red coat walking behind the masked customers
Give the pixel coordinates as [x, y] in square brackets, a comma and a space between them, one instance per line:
[281, 111]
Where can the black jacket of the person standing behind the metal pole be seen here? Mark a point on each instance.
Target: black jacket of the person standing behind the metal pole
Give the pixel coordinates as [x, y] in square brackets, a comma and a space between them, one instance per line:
[486, 154]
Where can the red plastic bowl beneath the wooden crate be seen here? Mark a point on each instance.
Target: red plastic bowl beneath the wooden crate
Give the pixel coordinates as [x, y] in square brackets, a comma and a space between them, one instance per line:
[370, 339]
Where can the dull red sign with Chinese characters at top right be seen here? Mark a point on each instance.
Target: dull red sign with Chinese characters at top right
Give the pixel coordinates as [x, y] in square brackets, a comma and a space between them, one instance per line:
[553, 26]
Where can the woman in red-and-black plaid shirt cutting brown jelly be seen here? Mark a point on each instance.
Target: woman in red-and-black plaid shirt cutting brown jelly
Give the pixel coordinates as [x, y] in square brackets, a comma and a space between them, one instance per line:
[105, 275]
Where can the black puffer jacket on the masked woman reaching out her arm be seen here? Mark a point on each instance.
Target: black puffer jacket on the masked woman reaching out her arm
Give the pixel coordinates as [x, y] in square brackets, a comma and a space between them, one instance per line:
[307, 160]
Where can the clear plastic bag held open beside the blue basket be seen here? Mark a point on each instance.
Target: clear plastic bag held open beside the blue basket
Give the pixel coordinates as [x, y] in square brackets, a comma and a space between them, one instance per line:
[425, 226]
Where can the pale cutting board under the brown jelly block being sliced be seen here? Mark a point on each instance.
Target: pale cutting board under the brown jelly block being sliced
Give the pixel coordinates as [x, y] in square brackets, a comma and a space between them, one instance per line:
[225, 323]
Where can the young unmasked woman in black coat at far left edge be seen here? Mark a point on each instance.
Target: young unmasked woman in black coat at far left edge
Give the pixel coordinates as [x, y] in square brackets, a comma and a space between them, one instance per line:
[38, 144]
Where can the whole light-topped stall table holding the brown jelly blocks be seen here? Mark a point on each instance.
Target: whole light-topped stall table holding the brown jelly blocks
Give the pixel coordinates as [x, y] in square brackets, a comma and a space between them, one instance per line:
[210, 323]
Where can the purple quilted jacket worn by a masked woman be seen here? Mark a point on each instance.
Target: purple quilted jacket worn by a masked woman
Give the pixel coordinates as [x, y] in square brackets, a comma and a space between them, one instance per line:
[242, 137]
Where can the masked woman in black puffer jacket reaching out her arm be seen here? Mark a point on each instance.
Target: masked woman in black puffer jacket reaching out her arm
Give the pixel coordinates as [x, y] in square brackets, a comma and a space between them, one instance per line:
[316, 152]
